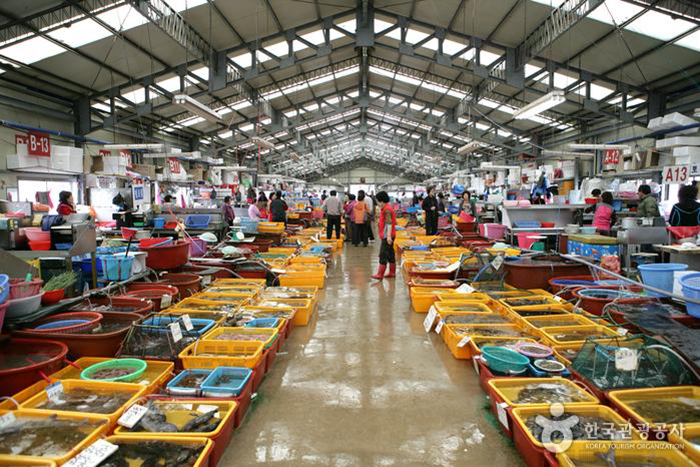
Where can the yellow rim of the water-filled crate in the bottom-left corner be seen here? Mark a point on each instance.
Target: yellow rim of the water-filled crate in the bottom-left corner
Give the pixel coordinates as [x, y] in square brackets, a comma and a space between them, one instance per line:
[97, 426]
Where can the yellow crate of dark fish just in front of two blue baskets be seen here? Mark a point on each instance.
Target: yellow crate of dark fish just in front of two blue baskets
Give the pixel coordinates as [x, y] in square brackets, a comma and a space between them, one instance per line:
[180, 416]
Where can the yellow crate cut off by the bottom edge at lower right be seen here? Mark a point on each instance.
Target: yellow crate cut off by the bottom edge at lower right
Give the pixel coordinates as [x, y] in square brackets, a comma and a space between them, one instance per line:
[631, 453]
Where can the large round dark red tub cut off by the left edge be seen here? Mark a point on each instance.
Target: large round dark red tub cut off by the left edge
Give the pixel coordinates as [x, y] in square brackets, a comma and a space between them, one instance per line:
[23, 362]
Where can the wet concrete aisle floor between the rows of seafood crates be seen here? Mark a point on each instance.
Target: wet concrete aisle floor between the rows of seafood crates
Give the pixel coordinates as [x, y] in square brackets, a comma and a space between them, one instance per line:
[364, 385]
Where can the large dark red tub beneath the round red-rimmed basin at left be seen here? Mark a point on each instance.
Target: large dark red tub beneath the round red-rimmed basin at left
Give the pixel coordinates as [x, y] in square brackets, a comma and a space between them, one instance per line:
[90, 344]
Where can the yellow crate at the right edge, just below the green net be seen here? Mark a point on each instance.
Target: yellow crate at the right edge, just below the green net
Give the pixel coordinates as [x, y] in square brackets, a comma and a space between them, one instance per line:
[624, 397]
